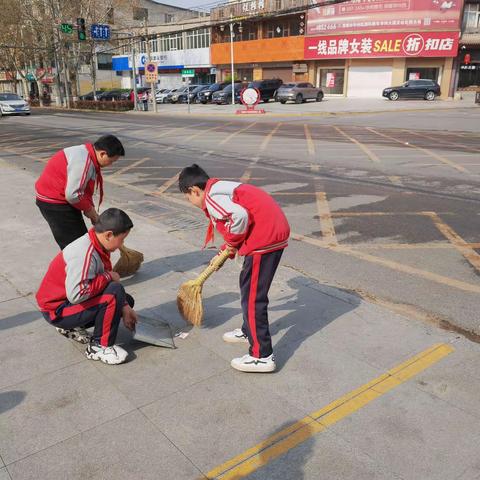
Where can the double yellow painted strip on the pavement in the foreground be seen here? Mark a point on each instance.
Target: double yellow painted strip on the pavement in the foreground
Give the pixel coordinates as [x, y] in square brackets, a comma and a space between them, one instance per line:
[288, 438]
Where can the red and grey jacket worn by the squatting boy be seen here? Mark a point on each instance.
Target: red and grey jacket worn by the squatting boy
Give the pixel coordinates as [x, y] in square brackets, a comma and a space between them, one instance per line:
[76, 274]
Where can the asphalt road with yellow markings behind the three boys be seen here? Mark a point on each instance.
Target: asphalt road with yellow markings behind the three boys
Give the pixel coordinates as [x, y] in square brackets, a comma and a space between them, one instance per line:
[384, 204]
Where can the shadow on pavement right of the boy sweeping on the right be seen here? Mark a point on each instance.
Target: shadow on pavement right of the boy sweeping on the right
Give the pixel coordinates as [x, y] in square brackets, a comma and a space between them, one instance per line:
[311, 309]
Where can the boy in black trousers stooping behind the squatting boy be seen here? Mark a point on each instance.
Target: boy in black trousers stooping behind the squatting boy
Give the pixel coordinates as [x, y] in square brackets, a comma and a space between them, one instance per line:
[65, 188]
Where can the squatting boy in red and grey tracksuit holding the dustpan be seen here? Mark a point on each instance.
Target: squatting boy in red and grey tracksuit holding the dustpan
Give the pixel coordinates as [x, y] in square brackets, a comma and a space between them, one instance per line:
[80, 290]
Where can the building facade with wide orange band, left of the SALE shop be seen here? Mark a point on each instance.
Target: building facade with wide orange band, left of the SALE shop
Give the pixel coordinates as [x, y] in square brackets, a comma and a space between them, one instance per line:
[268, 47]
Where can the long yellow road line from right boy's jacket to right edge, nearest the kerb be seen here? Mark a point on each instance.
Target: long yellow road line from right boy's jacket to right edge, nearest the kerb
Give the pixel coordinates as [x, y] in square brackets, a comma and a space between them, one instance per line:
[398, 267]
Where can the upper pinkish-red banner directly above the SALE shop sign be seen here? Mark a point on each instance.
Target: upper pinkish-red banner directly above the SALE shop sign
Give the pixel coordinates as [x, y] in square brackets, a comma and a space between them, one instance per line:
[381, 15]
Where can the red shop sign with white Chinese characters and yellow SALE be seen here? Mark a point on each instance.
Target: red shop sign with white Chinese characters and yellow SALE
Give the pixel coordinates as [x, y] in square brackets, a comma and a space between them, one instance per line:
[431, 44]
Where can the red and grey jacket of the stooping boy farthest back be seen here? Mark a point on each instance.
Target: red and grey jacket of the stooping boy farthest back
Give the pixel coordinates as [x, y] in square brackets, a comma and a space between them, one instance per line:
[70, 177]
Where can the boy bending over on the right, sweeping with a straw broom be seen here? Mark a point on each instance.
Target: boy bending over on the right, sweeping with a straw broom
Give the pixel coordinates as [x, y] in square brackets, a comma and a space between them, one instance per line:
[252, 223]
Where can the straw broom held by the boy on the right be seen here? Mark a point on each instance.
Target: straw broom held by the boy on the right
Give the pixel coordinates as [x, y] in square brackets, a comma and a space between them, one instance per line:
[189, 297]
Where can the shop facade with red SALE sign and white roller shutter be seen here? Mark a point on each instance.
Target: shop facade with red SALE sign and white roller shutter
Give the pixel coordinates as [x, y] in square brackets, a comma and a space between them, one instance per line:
[358, 48]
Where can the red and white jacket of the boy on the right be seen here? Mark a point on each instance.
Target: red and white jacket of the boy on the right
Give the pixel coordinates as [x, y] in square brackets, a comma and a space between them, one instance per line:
[247, 217]
